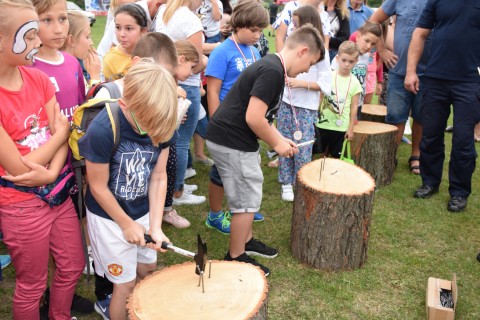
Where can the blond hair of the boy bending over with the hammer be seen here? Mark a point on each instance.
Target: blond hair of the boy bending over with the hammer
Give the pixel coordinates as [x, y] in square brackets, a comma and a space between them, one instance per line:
[154, 105]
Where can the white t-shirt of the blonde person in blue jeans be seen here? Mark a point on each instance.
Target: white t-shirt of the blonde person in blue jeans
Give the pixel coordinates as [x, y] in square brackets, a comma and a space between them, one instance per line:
[183, 24]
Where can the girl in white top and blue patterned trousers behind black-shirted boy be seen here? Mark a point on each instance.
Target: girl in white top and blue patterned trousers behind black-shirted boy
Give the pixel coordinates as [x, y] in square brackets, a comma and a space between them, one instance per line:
[299, 108]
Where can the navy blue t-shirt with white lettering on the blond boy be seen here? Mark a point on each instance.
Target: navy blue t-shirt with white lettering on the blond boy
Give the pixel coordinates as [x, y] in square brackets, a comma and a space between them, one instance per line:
[130, 167]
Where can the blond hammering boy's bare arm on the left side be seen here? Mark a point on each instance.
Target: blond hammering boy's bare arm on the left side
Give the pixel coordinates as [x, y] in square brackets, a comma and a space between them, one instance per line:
[98, 175]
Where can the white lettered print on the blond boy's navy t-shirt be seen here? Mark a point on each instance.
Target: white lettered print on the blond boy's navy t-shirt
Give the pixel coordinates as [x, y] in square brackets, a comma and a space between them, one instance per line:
[132, 173]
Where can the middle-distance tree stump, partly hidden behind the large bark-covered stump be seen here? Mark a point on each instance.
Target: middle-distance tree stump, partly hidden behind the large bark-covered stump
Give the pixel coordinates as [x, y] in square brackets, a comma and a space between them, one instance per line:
[374, 149]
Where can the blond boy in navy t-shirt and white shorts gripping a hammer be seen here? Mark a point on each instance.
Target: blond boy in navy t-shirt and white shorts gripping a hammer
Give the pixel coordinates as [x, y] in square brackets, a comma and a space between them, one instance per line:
[126, 190]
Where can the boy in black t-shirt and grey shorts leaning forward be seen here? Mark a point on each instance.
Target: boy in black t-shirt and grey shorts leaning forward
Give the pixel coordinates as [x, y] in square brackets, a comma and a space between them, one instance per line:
[243, 117]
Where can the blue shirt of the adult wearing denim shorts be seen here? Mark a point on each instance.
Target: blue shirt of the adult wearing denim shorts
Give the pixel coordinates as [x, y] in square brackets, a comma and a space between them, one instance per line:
[407, 12]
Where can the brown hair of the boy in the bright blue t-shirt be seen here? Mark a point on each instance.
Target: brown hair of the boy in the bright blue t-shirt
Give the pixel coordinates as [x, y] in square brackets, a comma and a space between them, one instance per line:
[249, 14]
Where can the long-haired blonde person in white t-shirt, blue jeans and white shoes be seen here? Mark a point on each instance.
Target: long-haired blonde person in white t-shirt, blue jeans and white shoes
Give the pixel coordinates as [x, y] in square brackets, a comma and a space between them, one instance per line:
[178, 21]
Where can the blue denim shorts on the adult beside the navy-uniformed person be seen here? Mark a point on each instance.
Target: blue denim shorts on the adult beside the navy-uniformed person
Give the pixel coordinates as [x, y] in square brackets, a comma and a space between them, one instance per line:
[402, 103]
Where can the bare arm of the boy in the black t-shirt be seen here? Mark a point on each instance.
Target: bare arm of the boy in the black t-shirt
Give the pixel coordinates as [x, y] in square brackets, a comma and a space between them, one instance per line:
[255, 118]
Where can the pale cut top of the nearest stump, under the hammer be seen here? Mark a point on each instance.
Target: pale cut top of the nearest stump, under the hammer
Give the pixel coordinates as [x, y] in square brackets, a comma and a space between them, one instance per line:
[235, 290]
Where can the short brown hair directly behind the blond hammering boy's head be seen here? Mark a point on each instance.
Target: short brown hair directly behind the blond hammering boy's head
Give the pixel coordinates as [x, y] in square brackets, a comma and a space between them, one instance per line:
[158, 46]
